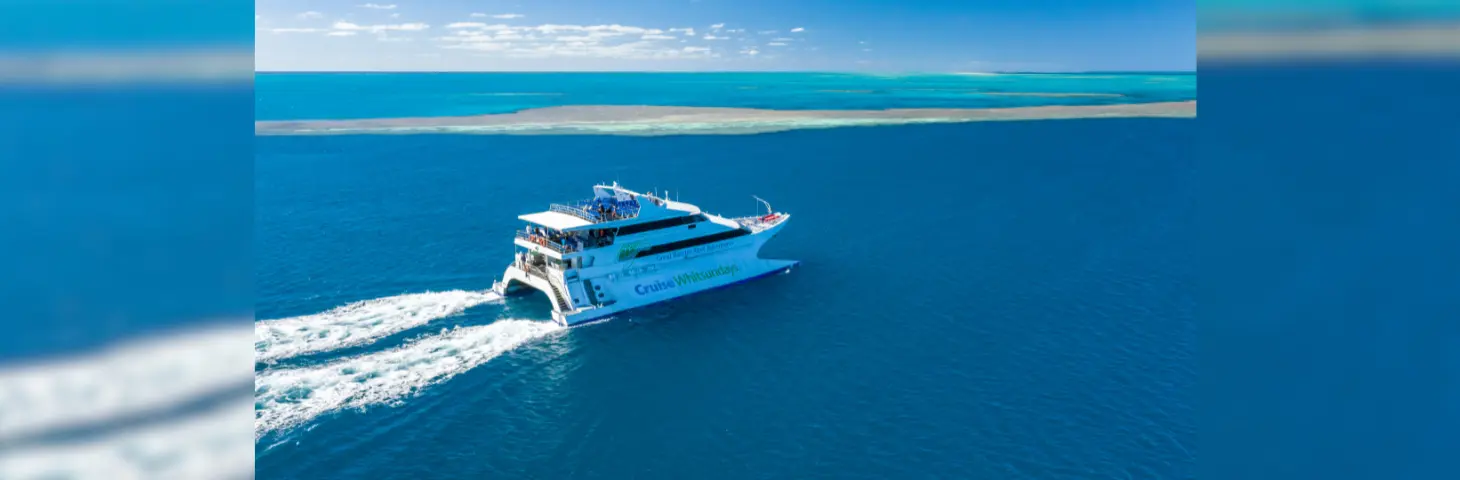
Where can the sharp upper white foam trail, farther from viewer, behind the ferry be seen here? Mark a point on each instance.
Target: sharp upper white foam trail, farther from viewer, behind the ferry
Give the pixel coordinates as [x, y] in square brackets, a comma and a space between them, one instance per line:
[358, 323]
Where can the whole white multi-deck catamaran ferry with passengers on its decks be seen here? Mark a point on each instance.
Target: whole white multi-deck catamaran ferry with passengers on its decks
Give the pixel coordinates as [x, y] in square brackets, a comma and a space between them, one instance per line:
[623, 250]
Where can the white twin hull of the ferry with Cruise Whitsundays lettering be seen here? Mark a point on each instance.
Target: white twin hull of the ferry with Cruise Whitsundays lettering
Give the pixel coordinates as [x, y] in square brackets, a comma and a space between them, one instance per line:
[618, 285]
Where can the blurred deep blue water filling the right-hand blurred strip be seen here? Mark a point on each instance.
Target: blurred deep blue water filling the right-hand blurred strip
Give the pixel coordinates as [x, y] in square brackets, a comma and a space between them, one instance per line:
[1329, 276]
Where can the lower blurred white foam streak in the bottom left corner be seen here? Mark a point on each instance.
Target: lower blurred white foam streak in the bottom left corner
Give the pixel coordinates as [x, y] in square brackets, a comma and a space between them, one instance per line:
[208, 446]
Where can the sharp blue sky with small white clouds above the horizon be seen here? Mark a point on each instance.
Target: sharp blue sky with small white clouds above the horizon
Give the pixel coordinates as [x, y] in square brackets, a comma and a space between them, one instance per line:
[725, 36]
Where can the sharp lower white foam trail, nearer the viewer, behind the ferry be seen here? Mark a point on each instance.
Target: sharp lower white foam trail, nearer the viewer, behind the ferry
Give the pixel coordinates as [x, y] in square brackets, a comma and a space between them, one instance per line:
[290, 398]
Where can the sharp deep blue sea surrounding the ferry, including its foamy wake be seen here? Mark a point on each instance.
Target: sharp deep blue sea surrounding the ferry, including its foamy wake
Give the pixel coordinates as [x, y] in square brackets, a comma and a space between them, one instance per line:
[975, 301]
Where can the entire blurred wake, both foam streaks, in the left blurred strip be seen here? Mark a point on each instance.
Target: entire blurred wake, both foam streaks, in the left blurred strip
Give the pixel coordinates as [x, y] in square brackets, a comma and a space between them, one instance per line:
[163, 406]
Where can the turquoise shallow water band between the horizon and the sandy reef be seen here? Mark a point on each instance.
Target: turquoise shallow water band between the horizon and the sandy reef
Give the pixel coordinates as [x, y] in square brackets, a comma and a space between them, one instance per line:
[386, 96]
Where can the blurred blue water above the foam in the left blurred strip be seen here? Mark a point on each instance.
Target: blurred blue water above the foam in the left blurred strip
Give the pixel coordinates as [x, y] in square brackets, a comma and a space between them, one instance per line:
[97, 228]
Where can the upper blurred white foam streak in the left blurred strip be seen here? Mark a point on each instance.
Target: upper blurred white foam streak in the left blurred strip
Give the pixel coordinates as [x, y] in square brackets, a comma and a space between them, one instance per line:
[134, 379]
